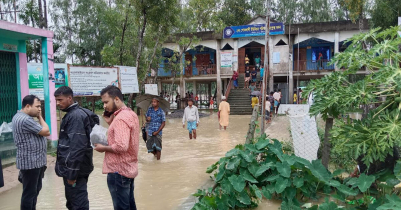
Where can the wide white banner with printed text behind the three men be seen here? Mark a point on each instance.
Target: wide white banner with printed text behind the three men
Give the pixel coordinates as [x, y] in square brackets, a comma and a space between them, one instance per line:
[89, 81]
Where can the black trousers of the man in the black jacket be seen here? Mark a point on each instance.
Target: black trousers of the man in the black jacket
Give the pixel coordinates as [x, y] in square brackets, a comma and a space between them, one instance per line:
[77, 196]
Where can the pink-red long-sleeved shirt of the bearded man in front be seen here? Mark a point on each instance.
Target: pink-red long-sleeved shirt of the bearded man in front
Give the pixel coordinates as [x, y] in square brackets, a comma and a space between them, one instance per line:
[123, 138]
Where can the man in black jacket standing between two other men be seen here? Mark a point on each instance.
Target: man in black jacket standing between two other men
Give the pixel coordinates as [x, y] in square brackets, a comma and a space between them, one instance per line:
[74, 152]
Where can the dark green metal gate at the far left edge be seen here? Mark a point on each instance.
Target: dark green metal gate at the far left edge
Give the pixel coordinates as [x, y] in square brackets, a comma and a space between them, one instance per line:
[8, 86]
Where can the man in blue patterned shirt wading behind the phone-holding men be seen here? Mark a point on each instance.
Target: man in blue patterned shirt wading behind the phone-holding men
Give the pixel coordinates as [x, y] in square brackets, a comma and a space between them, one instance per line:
[156, 121]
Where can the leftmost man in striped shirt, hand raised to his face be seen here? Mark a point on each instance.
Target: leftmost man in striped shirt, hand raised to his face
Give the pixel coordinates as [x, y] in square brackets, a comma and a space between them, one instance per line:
[29, 137]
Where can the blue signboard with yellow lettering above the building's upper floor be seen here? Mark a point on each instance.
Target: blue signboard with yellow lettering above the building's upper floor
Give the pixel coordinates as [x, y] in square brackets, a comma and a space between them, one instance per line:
[252, 30]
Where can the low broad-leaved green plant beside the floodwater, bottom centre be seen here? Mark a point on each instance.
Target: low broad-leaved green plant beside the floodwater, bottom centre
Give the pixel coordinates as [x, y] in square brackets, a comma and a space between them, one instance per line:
[250, 172]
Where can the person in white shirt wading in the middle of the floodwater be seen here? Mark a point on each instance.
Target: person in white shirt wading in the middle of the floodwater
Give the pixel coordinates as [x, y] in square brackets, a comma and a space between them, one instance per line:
[191, 115]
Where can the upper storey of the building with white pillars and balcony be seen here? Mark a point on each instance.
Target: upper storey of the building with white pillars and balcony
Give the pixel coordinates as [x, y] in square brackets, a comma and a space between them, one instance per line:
[301, 53]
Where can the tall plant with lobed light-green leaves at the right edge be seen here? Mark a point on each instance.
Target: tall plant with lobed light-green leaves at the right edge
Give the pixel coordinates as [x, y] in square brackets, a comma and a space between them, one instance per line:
[374, 137]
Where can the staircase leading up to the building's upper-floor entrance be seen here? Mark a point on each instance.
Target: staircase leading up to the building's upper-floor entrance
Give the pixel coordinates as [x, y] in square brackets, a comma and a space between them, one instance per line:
[239, 99]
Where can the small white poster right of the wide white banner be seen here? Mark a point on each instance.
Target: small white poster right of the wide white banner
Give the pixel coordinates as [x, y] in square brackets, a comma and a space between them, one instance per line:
[128, 79]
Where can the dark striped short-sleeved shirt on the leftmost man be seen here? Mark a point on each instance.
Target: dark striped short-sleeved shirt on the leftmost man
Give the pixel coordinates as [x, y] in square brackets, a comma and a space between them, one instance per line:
[31, 147]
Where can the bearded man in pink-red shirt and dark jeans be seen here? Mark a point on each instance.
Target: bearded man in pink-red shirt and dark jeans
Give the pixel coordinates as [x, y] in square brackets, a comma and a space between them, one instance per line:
[121, 158]
